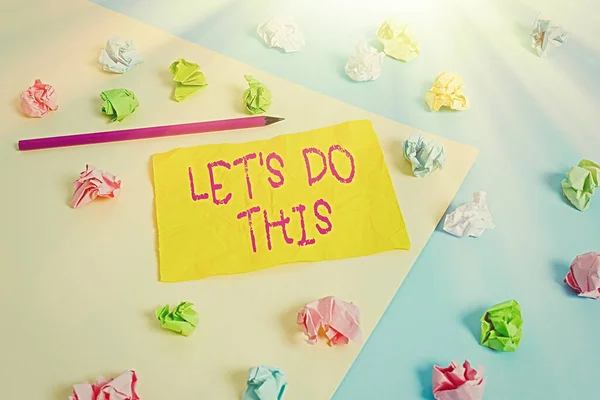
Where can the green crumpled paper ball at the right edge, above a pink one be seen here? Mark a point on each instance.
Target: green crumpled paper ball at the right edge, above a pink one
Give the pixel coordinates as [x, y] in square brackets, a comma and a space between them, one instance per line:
[581, 182]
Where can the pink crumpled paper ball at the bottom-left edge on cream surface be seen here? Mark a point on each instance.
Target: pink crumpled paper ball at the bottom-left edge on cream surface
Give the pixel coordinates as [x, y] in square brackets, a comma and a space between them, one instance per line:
[120, 388]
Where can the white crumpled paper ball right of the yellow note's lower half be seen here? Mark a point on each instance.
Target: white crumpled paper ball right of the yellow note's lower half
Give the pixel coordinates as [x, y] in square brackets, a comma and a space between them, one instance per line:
[470, 219]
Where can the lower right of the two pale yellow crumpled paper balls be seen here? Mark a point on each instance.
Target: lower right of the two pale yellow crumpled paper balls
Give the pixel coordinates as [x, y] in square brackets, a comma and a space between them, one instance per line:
[447, 91]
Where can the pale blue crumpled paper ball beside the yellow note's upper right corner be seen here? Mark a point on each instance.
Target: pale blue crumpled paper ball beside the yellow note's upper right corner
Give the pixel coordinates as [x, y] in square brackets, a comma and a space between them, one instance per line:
[424, 155]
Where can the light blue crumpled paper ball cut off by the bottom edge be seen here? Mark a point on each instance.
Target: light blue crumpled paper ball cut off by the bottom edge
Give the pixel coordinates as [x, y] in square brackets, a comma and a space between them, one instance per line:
[265, 383]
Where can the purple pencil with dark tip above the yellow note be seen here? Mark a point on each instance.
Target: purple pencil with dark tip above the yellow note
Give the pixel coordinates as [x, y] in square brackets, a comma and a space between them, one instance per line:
[146, 133]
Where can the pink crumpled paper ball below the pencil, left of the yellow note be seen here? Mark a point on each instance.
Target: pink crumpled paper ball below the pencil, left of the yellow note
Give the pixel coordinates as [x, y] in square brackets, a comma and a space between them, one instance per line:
[93, 183]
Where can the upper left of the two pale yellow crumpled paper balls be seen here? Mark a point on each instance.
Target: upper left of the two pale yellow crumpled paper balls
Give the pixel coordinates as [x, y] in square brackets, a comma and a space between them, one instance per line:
[398, 40]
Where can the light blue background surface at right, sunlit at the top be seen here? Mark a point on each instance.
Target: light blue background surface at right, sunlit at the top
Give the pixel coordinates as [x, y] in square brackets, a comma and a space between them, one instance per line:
[531, 118]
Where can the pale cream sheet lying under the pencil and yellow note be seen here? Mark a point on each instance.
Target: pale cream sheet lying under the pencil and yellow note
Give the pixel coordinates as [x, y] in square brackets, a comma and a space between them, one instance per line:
[78, 287]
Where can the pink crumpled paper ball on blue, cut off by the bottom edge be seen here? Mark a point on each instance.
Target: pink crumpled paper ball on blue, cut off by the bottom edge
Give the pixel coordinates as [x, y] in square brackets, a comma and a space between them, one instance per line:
[458, 382]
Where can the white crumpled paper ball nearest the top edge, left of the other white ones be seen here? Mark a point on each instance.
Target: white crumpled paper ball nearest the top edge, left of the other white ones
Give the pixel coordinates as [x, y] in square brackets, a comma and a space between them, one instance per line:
[282, 32]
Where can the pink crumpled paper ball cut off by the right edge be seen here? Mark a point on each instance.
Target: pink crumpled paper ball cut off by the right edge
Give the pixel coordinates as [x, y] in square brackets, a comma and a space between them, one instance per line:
[584, 275]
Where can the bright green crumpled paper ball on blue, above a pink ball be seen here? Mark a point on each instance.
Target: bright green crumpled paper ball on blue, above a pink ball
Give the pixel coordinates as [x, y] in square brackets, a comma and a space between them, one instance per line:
[502, 326]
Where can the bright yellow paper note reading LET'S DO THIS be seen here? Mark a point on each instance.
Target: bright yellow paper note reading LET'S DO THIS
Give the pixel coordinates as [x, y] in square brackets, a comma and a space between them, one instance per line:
[233, 208]
